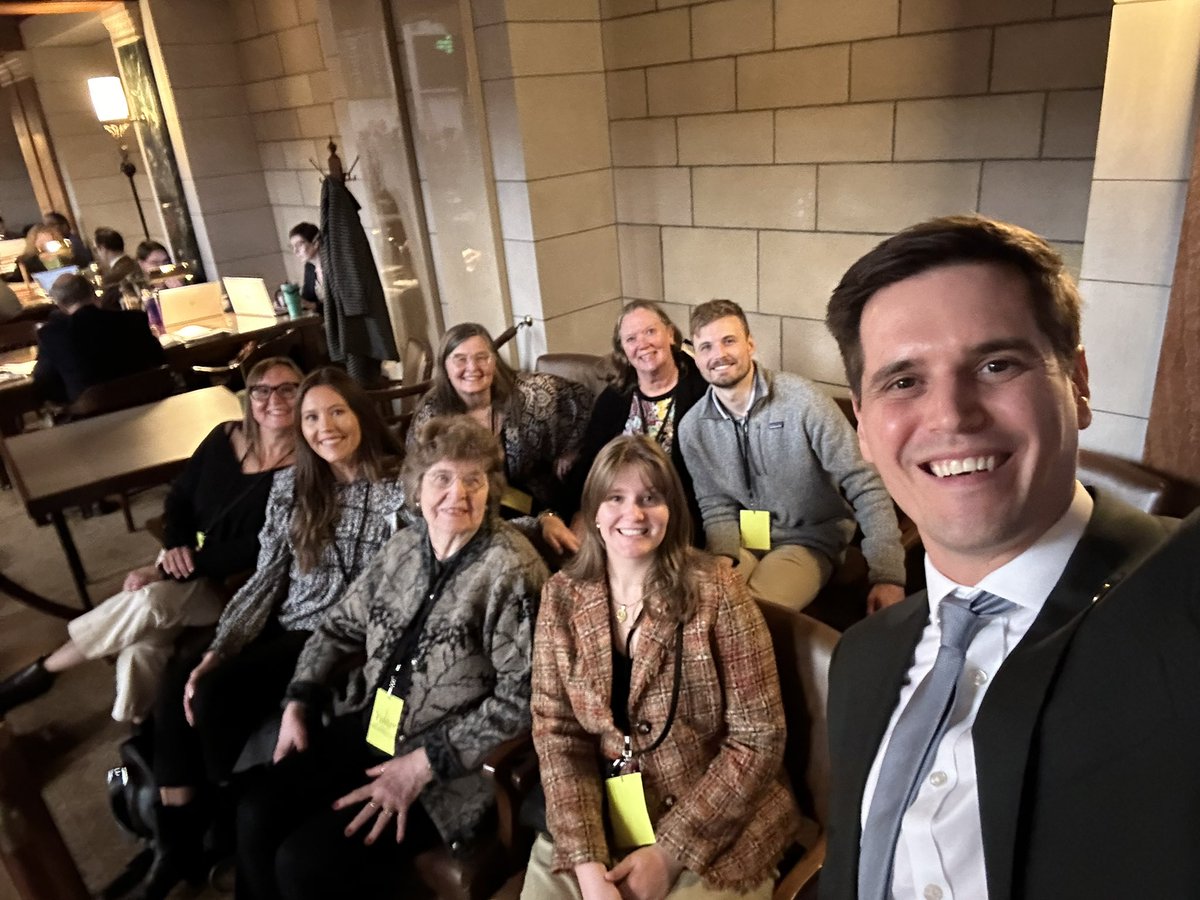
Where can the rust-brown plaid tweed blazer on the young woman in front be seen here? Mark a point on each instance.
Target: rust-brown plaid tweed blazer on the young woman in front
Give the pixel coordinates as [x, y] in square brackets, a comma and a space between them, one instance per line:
[715, 787]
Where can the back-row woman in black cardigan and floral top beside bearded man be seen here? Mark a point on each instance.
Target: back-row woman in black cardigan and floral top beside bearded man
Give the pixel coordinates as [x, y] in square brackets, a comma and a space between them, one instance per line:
[657, 383]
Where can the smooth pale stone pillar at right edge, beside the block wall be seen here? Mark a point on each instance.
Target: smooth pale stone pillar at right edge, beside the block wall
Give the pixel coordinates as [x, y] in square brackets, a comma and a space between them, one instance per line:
[1143, 164]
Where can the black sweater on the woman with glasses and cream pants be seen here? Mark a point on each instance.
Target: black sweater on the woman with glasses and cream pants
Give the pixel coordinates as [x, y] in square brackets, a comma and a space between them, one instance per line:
[215, 497]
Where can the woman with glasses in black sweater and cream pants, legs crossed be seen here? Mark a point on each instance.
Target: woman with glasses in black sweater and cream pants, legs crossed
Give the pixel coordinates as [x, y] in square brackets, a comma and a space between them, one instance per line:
[212, 518]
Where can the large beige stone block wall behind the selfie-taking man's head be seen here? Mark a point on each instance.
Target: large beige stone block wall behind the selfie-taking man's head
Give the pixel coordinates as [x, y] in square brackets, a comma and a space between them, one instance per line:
[760, 148]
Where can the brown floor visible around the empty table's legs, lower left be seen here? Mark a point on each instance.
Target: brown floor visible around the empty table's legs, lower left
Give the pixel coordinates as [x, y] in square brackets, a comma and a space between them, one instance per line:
[68, 736]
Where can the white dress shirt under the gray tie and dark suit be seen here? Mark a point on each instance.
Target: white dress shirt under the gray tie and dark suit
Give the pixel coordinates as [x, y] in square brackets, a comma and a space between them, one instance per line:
[940, 850]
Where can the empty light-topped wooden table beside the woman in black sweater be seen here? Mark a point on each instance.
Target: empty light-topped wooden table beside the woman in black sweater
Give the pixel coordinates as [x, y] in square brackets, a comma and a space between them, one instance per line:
[83, 463]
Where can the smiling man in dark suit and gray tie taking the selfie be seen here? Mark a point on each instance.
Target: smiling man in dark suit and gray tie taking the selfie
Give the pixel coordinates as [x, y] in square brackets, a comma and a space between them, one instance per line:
[1063, 763]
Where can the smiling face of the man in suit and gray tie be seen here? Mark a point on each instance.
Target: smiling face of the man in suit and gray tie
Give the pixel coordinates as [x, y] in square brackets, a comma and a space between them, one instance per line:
[968, 413]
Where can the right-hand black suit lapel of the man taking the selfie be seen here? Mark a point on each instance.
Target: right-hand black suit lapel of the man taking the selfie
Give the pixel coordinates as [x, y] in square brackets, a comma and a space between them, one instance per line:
[1115, 538]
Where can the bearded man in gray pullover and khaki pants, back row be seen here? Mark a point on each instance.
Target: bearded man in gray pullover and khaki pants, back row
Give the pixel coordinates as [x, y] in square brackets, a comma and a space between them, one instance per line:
[778, 473]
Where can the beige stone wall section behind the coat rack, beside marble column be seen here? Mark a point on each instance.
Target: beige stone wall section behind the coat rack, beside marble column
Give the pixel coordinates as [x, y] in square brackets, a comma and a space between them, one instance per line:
[247, 95]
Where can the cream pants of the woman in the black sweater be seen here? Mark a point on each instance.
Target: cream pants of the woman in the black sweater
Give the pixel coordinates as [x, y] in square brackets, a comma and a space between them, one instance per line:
[140, 628]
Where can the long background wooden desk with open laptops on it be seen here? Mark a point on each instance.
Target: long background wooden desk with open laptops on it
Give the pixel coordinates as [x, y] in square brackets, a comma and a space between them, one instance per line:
[19, 397]
